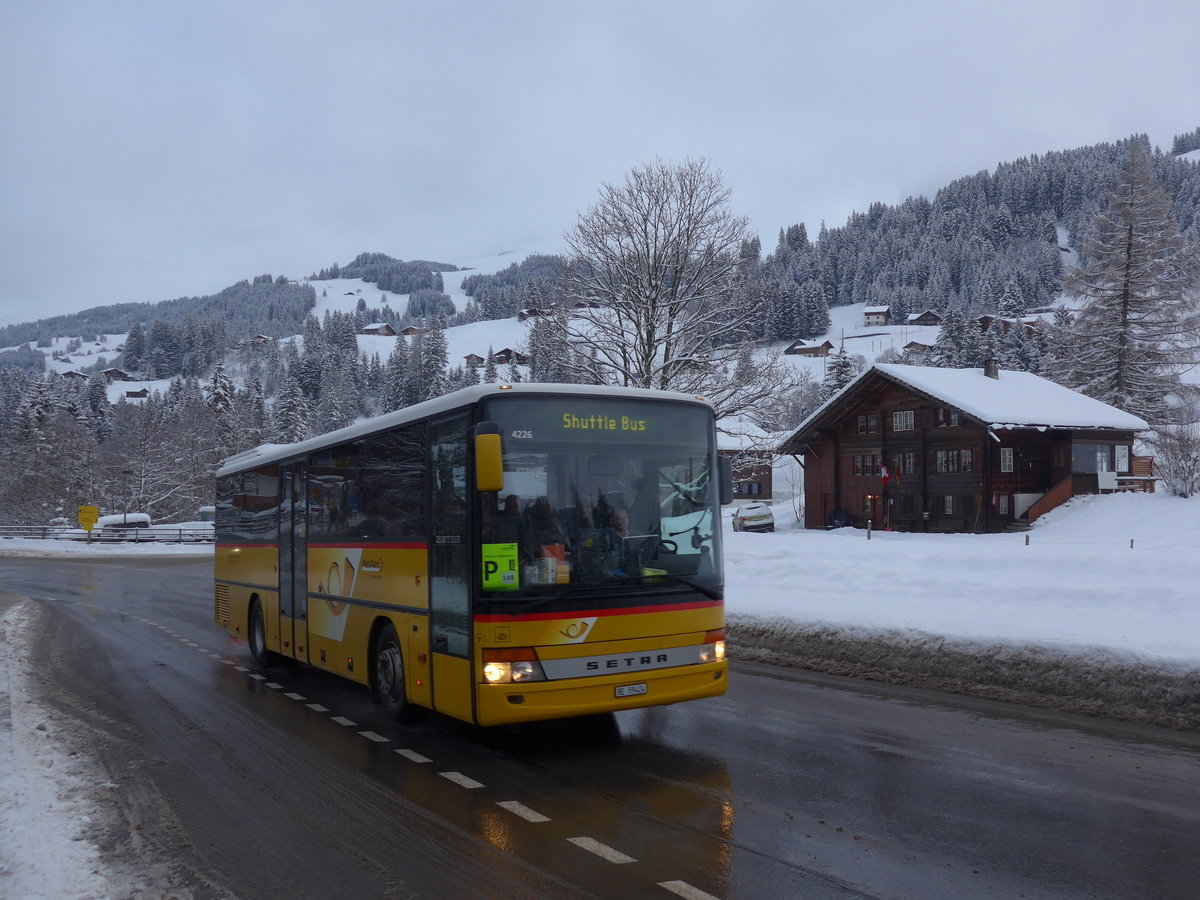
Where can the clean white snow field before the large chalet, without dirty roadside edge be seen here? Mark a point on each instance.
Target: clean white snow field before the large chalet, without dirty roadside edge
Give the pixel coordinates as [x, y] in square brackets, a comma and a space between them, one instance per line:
[1078, 587]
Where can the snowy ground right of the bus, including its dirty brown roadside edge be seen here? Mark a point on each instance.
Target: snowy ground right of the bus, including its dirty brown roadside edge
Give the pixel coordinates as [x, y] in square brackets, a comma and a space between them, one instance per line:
[1100, 613]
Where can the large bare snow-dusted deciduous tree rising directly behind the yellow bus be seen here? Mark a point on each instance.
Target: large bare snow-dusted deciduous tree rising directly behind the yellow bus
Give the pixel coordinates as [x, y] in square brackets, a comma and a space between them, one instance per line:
[651, 275]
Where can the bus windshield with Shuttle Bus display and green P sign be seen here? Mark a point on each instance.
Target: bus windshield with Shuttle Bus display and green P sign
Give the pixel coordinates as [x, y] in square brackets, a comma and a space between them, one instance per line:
[602, 495]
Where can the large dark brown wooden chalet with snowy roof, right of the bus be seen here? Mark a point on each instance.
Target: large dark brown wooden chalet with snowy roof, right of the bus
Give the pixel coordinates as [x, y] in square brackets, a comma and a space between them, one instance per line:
[922, 449]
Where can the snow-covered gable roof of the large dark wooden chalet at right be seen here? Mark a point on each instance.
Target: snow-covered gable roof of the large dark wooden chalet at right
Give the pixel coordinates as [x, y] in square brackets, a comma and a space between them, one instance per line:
[1013, 400]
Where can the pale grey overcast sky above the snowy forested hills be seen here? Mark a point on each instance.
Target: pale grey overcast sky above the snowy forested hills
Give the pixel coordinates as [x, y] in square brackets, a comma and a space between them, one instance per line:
[154, 151]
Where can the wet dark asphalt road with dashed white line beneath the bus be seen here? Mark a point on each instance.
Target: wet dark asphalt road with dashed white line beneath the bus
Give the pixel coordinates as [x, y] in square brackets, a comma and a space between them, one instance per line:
[281, 782]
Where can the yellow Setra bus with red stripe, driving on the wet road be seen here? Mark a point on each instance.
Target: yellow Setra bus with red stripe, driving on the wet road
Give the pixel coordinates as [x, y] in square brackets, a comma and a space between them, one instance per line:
[503, 554]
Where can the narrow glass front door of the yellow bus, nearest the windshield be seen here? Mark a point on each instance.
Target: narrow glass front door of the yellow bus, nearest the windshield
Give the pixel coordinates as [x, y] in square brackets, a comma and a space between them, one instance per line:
[451, 623]
